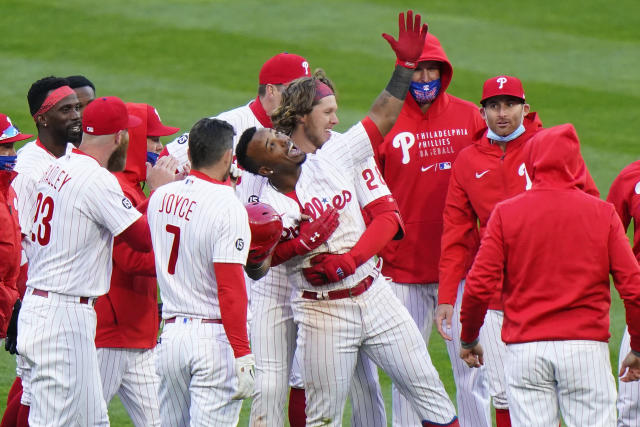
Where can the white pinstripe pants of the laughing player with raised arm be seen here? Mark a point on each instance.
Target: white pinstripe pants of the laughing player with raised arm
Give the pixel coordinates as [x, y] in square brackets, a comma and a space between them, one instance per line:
[332, 332]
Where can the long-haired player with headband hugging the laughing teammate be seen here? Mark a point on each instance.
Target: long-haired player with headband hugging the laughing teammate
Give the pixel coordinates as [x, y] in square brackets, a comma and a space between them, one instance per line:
[271, 297]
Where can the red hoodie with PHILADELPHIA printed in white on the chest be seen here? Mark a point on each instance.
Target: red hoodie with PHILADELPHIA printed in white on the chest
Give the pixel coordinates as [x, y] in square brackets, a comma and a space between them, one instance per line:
[418, 174]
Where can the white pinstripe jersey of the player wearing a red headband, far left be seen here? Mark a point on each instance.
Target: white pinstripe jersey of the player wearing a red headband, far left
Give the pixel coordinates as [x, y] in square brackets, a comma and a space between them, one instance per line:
[33, 161]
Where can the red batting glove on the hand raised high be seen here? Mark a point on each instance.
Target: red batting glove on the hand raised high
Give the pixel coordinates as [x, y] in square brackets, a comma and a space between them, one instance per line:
[411, 37]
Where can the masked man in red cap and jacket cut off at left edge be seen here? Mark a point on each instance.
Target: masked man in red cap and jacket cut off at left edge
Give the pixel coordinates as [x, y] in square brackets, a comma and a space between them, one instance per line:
[11, 290]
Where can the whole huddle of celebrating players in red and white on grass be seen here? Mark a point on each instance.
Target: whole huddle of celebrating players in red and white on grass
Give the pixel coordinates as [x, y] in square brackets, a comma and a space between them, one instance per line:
[293, 261]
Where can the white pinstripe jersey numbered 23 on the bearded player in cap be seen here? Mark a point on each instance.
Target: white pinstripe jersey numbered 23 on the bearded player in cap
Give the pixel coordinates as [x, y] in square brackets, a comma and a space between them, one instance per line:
[79, 208]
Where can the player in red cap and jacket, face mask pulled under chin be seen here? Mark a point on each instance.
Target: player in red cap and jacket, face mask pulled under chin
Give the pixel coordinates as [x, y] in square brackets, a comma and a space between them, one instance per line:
[485, 173]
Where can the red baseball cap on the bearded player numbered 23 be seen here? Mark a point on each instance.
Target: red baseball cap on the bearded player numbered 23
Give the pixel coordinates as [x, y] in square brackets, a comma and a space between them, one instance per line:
[107, 115]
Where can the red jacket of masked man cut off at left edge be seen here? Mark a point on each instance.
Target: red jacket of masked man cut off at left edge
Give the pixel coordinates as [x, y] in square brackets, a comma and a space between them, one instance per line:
[10, 250]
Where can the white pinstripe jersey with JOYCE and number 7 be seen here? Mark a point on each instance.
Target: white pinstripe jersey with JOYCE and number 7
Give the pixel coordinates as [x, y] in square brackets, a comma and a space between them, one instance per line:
[194, 223]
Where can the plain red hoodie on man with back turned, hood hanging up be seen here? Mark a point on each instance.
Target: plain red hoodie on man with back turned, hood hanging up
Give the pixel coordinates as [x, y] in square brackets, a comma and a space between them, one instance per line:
[556, 246]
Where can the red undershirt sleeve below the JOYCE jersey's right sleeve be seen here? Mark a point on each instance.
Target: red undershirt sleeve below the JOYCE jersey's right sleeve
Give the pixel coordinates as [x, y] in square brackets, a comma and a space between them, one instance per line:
[232, 297]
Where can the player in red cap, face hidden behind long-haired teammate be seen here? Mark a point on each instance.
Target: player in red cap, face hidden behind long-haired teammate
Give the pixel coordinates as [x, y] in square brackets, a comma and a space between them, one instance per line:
[275, 74]
